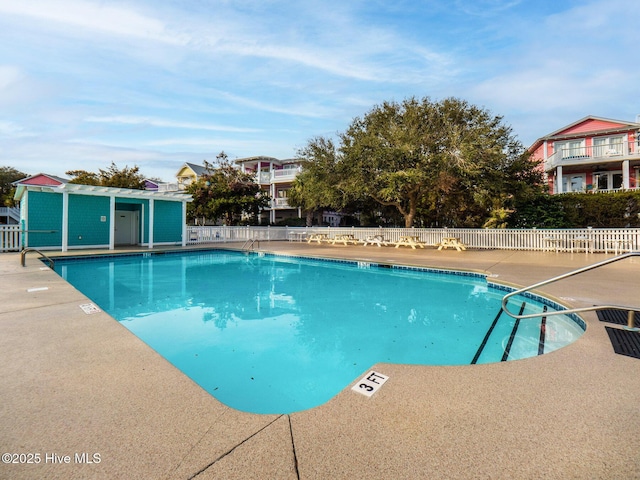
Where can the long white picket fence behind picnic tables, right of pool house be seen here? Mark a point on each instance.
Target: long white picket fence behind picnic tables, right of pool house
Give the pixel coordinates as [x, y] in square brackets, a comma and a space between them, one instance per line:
[607, 240]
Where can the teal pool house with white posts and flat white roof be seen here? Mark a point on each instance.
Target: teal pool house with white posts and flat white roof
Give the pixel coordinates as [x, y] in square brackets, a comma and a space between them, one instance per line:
[60, 215]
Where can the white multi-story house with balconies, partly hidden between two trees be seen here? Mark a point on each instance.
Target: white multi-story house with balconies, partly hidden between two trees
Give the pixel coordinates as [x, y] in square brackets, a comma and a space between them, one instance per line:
[275, 177]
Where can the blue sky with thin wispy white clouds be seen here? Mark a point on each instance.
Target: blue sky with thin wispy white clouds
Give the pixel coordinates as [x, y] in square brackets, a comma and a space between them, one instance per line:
[156, 83]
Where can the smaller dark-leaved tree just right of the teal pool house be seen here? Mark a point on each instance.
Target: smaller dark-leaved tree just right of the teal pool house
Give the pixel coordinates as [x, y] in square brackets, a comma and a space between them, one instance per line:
[226, 193]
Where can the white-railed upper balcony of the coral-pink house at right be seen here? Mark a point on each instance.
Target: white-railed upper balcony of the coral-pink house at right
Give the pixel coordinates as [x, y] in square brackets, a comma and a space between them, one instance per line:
[614, 152]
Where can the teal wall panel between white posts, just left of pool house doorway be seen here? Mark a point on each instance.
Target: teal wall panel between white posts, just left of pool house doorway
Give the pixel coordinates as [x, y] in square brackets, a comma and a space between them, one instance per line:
[85, 220]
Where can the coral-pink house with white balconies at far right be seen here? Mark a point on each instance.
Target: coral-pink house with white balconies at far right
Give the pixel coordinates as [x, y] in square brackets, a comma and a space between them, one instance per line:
[592, 154]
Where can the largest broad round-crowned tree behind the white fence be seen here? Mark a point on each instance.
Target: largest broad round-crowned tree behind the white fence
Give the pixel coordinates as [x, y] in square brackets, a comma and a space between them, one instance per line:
[449, 162]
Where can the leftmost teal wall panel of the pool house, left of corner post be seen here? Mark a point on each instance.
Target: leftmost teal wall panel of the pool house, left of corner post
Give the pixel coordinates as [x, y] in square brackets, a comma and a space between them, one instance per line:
[44, 213]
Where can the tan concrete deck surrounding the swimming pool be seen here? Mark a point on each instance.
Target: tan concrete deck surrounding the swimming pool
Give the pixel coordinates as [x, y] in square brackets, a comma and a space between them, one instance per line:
[73, 385]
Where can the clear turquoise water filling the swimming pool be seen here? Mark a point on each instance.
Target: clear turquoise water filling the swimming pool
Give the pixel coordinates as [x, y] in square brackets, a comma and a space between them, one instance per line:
[274, 334]
